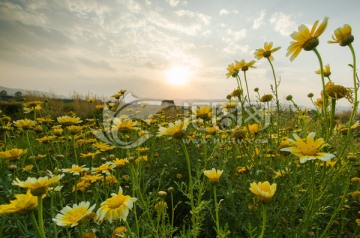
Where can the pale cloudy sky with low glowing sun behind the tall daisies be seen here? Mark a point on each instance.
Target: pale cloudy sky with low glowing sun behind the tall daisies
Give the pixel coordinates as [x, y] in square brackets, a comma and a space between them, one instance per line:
[170, 49]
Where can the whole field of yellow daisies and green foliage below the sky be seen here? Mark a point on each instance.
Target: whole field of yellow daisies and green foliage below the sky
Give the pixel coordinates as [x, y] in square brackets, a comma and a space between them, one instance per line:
[241, 168]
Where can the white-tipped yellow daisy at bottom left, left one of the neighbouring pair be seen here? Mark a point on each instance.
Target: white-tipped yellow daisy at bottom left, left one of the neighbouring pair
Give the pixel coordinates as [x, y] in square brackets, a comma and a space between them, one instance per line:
[71, 216]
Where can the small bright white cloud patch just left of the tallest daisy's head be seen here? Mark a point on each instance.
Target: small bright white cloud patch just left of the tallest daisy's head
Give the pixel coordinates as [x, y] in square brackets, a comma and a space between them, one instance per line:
[282, 23]
